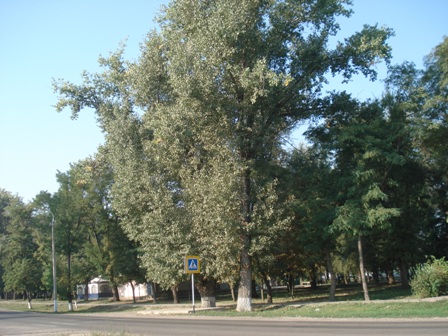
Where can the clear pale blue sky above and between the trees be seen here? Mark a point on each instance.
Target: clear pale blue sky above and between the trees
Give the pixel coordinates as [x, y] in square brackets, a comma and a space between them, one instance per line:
[45, 39]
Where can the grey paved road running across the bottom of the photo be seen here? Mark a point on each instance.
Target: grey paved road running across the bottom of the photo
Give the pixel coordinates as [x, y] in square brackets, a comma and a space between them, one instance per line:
[28, 323]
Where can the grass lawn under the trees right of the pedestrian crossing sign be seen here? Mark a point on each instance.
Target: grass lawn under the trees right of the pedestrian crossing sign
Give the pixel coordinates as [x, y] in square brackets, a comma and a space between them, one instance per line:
[387, 301]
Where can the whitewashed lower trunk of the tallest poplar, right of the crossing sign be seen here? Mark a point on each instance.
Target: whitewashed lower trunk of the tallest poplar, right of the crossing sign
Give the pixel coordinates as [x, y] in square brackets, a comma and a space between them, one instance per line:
[244, 302]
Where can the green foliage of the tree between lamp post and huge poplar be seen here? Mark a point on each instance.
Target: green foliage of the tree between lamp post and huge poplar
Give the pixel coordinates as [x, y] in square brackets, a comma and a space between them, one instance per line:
[89, 232]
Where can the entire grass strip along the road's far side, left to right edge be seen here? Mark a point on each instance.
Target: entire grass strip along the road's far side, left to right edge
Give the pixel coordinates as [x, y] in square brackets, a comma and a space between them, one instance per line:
[387, 301]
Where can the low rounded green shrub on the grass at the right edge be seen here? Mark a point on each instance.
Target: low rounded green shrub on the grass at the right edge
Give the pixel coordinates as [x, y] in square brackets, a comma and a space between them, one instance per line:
[431, 279]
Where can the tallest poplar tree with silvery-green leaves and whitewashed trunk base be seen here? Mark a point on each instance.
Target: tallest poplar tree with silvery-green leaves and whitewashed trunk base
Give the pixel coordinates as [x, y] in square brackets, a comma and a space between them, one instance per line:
[219, 86]
